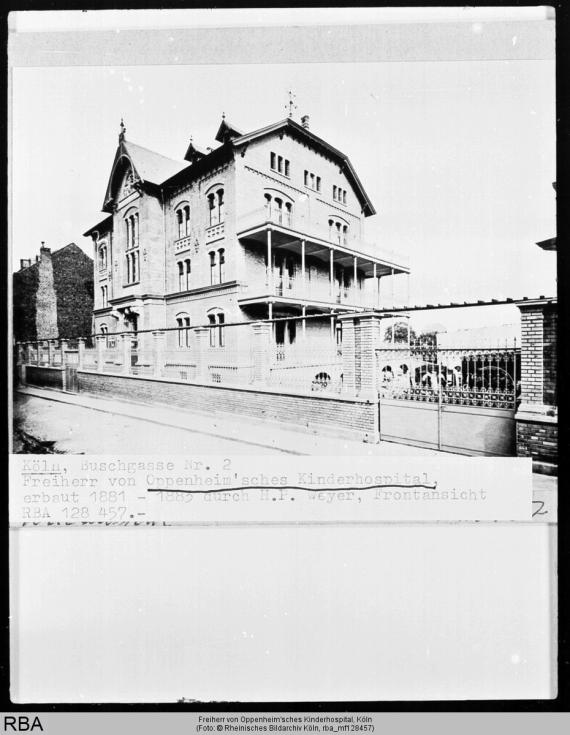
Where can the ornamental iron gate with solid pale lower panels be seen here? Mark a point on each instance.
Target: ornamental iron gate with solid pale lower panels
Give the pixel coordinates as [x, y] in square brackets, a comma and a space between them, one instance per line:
[455, 400]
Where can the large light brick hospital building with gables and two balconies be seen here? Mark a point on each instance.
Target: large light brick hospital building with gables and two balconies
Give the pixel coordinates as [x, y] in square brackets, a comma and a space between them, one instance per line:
[268, 224]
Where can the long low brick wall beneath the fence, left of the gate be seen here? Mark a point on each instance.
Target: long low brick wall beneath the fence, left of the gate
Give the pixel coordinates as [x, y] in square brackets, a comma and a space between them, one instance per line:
[345, 416]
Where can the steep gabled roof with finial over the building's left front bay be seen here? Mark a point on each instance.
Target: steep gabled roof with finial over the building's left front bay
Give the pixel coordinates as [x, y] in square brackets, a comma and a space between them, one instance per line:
[149, 167]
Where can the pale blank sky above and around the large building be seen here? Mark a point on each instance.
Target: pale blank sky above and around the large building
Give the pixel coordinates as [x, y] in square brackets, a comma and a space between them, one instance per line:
[457, 157]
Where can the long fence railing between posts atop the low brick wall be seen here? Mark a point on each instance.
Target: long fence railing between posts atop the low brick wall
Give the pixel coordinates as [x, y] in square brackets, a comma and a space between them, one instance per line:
[231, 355]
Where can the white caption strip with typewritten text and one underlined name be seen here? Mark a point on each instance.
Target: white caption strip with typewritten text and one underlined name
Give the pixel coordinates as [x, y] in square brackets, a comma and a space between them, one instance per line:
[138, 490]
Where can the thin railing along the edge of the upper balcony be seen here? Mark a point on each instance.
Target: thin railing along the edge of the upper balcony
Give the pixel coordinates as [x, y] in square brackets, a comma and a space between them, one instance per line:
[319, 229]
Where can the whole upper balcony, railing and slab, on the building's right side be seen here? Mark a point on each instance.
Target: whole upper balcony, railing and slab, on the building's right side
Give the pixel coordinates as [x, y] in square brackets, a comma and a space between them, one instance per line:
[291, 231]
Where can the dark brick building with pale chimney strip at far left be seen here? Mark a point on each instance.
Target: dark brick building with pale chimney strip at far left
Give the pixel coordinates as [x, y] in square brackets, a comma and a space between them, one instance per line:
[53, 296]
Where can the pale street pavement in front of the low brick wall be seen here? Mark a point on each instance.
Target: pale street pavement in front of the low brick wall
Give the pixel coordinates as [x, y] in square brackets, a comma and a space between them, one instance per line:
[84, 424]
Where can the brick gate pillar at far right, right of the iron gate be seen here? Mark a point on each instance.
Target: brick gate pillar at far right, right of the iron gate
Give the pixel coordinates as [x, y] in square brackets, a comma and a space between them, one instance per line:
[537, 414]
